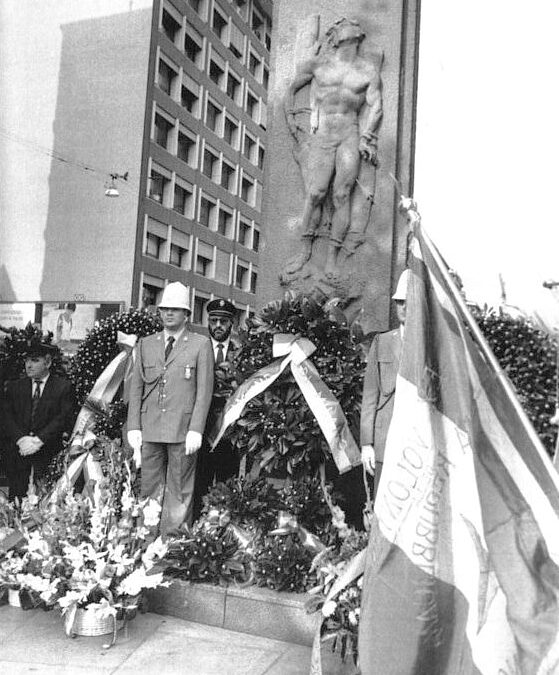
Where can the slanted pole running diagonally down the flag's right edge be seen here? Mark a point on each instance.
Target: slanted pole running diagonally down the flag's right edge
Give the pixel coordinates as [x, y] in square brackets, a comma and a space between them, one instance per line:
[486, 349]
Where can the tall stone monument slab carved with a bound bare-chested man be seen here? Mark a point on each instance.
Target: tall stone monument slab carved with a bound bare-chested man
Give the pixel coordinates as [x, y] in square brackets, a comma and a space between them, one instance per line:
[339, 152]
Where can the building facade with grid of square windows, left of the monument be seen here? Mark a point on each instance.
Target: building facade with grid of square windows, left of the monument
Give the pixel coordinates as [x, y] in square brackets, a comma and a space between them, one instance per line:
[199, 217]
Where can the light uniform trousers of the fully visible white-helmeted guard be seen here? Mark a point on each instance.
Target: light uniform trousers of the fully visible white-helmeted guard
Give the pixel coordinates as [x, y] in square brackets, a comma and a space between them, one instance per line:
[168, 476]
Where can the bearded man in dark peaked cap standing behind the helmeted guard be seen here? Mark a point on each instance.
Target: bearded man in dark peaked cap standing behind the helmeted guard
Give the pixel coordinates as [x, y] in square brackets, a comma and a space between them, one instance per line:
[223, 462]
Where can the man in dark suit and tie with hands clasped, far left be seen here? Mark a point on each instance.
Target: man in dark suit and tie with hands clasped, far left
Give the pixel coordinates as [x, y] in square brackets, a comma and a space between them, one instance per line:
[36, 411]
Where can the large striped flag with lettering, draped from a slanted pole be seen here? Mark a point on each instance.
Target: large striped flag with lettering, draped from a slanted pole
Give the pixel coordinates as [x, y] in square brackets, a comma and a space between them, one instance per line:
[462, 568]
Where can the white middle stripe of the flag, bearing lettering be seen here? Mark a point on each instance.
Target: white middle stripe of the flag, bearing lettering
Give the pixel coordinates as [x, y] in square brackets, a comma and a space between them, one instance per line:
[416, 524]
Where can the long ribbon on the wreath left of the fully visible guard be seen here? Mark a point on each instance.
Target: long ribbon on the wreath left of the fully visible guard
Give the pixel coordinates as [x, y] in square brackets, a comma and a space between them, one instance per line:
[82, 440]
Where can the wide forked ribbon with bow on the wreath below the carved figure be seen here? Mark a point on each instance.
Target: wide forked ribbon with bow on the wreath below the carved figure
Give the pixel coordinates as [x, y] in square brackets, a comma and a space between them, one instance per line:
[323, 404]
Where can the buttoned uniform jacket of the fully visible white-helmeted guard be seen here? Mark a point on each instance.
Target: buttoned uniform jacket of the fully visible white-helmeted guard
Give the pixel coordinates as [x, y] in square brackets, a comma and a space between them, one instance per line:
[167, 399]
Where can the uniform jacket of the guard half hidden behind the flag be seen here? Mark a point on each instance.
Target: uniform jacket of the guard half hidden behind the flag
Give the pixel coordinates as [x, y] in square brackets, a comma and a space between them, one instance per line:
[378, 390]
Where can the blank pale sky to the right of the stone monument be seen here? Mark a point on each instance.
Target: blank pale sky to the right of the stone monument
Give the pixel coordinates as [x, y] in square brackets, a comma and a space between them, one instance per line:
[487, 177]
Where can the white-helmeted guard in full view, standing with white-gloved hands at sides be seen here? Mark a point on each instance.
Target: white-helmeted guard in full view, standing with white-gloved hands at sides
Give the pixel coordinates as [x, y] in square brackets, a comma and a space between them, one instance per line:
[170, 396]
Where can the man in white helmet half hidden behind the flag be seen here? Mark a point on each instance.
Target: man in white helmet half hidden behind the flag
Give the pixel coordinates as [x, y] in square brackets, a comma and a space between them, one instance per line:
[379, 385]
